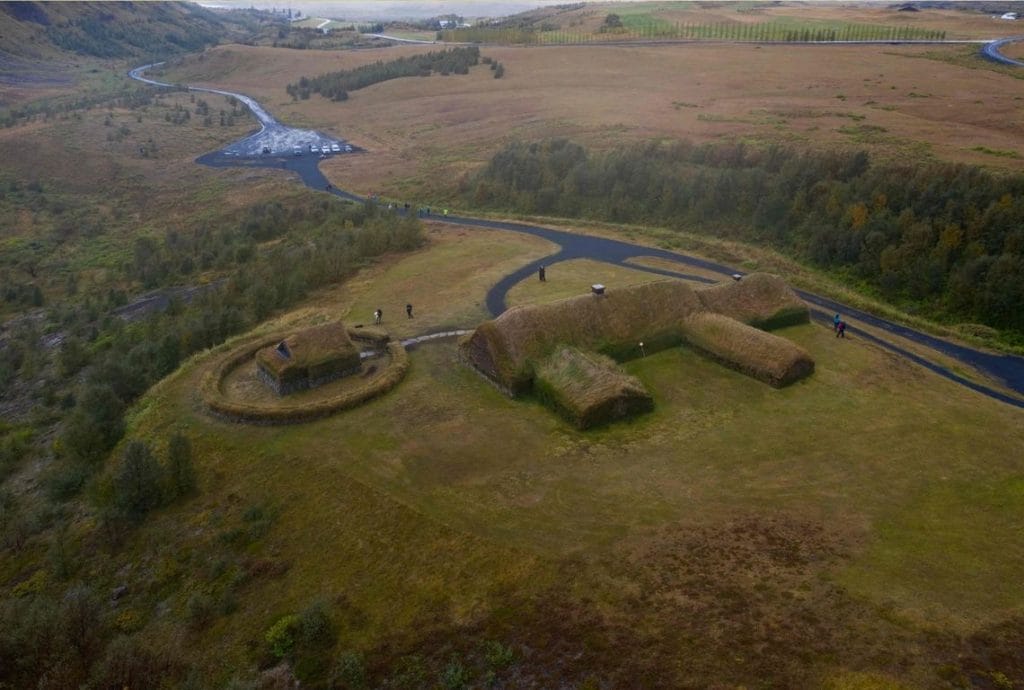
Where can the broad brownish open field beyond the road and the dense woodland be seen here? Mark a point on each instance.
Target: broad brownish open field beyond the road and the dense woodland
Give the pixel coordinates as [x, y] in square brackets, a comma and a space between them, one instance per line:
[899, 103]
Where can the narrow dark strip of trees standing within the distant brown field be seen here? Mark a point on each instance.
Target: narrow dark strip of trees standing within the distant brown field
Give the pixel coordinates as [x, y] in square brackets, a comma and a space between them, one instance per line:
[336, 85]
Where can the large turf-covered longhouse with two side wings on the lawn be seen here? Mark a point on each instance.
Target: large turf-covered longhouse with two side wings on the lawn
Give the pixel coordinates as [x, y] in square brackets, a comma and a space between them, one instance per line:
[524, 350]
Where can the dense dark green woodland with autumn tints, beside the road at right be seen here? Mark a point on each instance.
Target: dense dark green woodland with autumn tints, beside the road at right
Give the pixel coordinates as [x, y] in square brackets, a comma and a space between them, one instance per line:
[943, 240]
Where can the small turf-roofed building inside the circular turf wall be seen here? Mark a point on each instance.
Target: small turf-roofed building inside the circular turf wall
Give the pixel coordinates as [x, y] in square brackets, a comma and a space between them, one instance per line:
[309, 359]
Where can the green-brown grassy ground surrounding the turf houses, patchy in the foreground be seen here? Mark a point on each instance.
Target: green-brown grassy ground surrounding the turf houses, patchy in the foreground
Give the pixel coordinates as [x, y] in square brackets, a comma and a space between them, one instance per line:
[879, 502]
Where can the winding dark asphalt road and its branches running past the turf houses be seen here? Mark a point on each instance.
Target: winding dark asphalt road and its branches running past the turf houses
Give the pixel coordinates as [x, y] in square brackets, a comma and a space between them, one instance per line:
[1007, 369]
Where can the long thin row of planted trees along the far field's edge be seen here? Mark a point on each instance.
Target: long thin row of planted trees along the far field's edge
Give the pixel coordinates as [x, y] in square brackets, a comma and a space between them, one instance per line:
[726, 31]
